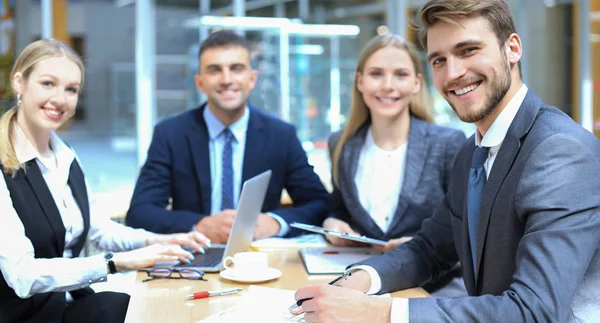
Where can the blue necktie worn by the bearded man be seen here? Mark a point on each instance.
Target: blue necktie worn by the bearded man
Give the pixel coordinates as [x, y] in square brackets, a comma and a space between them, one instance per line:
[477, 179]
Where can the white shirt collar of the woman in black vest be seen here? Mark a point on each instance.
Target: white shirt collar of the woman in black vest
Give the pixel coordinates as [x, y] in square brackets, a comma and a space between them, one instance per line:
[25, 150]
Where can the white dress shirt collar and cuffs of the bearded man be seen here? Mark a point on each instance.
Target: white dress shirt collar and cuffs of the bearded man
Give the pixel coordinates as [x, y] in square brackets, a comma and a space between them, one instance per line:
[493, 139]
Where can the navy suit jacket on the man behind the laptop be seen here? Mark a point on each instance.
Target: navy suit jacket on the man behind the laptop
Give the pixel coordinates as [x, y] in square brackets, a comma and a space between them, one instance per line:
[178, 168]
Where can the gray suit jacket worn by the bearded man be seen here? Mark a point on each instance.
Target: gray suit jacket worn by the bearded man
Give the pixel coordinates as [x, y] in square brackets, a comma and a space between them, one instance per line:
[538, 258]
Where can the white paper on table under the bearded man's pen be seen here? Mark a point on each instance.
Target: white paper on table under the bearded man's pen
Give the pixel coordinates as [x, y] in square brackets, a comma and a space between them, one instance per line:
[260, 304]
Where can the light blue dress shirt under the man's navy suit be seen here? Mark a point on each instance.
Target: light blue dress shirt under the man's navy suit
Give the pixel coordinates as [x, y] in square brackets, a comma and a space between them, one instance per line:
[216, 144]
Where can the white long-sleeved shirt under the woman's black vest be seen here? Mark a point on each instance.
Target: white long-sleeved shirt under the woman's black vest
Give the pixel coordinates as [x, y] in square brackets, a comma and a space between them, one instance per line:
[29, 275]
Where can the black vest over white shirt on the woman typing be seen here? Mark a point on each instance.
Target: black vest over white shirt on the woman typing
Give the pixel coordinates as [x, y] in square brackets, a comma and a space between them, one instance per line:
[43, 224]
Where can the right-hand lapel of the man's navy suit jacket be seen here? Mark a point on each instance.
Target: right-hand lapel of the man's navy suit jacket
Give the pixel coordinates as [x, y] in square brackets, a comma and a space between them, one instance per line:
[255, 144]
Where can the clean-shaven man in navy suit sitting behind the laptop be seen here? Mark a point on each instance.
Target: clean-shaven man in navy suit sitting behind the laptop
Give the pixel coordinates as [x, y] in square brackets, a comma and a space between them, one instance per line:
[200, 158]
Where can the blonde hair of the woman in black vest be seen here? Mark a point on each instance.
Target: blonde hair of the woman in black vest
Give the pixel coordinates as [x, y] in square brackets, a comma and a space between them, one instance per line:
[25, 64]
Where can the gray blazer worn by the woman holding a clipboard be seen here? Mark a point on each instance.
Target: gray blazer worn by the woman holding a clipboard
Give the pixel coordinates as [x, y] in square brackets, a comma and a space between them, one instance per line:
[429, 158]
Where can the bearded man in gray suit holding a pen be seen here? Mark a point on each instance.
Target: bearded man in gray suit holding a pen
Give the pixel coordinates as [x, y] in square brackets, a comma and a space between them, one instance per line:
[522, 213]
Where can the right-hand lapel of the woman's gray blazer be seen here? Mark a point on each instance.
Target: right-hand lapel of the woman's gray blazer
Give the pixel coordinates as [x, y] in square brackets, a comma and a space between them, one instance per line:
[416, 152]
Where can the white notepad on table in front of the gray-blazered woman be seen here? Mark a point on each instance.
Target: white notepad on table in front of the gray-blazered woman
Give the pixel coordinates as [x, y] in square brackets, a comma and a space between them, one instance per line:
[334, 260]
